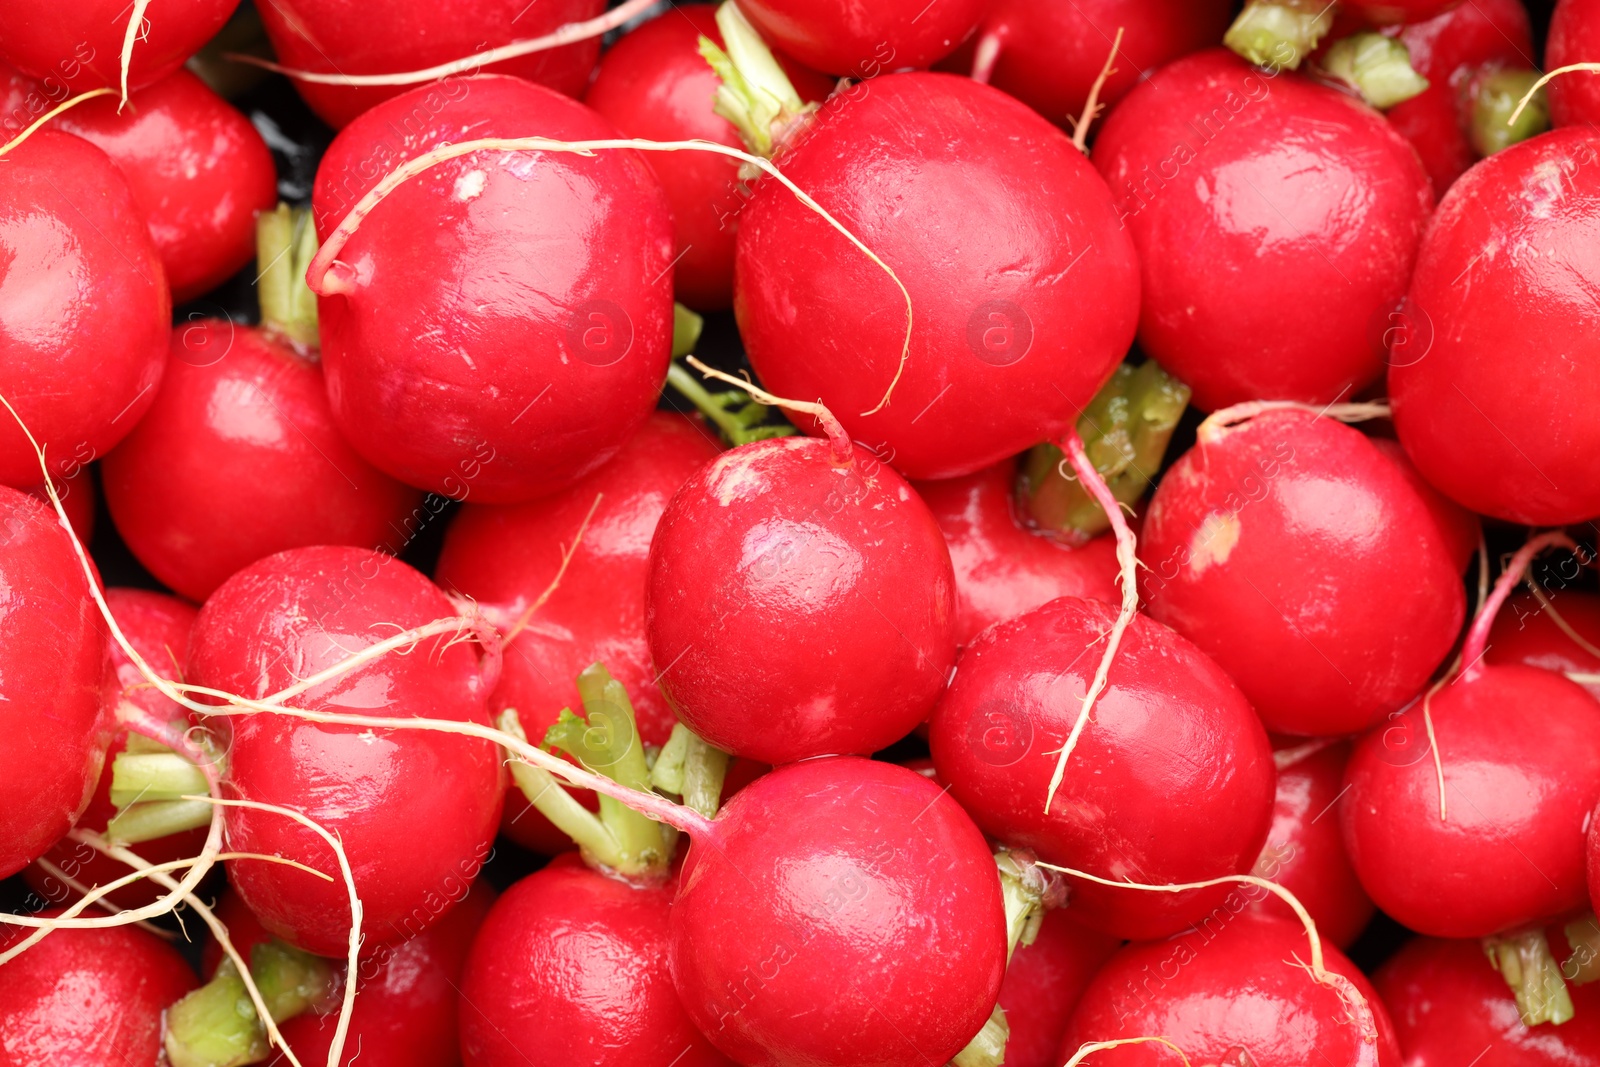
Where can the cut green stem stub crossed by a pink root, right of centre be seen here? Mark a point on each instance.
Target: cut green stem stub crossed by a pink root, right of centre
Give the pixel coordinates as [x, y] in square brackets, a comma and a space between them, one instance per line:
[1126, 431]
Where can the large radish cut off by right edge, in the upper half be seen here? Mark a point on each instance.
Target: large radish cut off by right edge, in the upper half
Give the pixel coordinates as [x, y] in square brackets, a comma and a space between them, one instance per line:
[1466, 426]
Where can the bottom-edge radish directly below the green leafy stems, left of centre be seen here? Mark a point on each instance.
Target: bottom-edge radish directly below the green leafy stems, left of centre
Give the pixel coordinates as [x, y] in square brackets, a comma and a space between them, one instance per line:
[575, 965]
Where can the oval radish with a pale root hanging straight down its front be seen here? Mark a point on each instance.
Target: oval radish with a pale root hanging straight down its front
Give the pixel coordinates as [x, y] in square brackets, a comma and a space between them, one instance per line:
[1012, 706]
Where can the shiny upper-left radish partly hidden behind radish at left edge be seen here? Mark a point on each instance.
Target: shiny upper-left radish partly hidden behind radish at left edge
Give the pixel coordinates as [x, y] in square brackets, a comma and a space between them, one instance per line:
[198, 170]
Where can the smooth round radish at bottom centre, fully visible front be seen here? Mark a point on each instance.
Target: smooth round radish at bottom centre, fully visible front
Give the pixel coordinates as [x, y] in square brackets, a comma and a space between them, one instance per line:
[841, 913]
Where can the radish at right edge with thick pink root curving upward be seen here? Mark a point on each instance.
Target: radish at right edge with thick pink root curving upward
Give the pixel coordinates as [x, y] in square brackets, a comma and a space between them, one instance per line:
[1487, 836]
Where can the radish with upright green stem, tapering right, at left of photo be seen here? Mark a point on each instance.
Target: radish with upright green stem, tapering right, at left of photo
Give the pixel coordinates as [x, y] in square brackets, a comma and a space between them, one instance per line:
[239, 458]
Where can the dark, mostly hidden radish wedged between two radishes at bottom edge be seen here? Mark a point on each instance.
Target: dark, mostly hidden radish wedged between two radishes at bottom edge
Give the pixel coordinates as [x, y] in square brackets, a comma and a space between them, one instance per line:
[1044, 983]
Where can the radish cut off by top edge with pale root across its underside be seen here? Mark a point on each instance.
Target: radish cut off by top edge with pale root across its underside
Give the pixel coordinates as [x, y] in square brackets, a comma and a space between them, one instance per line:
[338, 38]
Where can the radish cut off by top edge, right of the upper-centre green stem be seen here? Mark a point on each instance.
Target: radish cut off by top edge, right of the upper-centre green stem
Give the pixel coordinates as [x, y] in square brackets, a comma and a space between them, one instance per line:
[865, 41]
